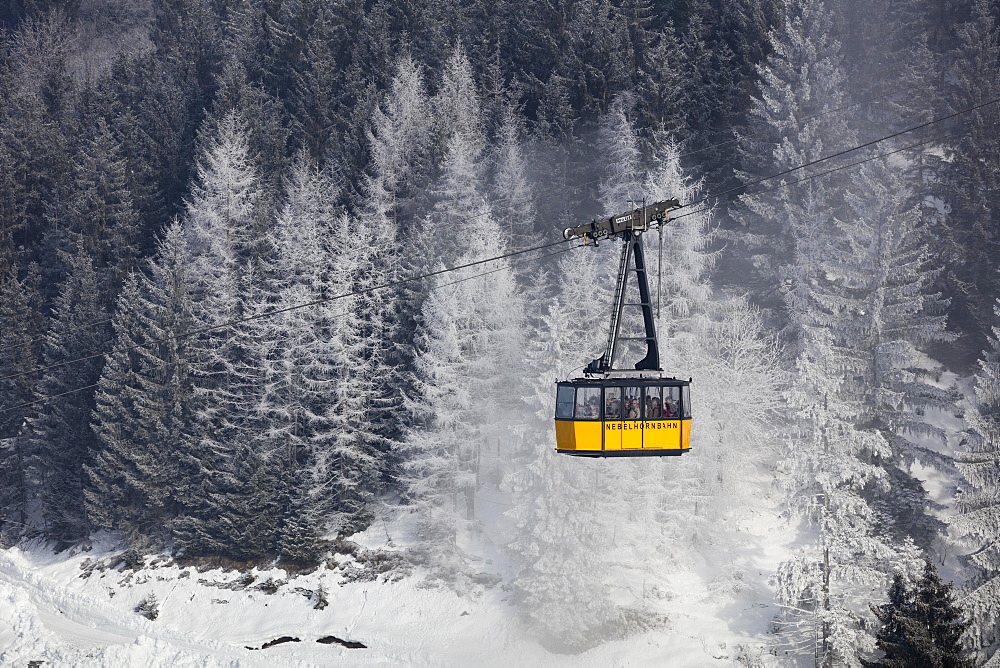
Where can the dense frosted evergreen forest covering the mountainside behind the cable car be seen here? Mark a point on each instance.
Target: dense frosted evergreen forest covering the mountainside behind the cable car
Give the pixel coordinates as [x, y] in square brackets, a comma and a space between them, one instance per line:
[262, 288]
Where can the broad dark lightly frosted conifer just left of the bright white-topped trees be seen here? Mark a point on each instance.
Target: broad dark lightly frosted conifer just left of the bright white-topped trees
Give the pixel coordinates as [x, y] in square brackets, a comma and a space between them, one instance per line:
[151, 468]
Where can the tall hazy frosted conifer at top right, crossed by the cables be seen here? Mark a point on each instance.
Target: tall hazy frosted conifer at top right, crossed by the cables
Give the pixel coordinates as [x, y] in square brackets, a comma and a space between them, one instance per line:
[784, 236]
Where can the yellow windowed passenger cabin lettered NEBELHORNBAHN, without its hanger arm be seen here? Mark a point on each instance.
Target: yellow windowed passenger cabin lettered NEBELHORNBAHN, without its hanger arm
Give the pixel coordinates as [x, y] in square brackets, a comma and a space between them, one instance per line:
[623, 417]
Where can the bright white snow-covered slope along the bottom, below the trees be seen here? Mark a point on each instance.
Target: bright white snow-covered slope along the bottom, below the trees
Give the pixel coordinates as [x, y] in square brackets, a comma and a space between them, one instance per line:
[72, 610]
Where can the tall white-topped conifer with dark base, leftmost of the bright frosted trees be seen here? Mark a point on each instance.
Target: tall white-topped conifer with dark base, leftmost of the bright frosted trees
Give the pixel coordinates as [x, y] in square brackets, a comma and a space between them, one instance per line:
[226, 229]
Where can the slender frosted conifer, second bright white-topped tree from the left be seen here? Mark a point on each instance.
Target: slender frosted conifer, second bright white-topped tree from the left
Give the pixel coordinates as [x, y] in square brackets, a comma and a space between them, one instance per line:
[300, 359]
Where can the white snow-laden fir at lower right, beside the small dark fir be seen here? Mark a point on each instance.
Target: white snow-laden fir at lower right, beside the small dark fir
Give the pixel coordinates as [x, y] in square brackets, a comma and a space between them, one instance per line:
[825, 588]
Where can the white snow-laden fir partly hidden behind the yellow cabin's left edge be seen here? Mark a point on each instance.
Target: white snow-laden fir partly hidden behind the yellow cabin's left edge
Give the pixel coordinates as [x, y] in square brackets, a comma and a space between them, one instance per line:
[557, 546]
